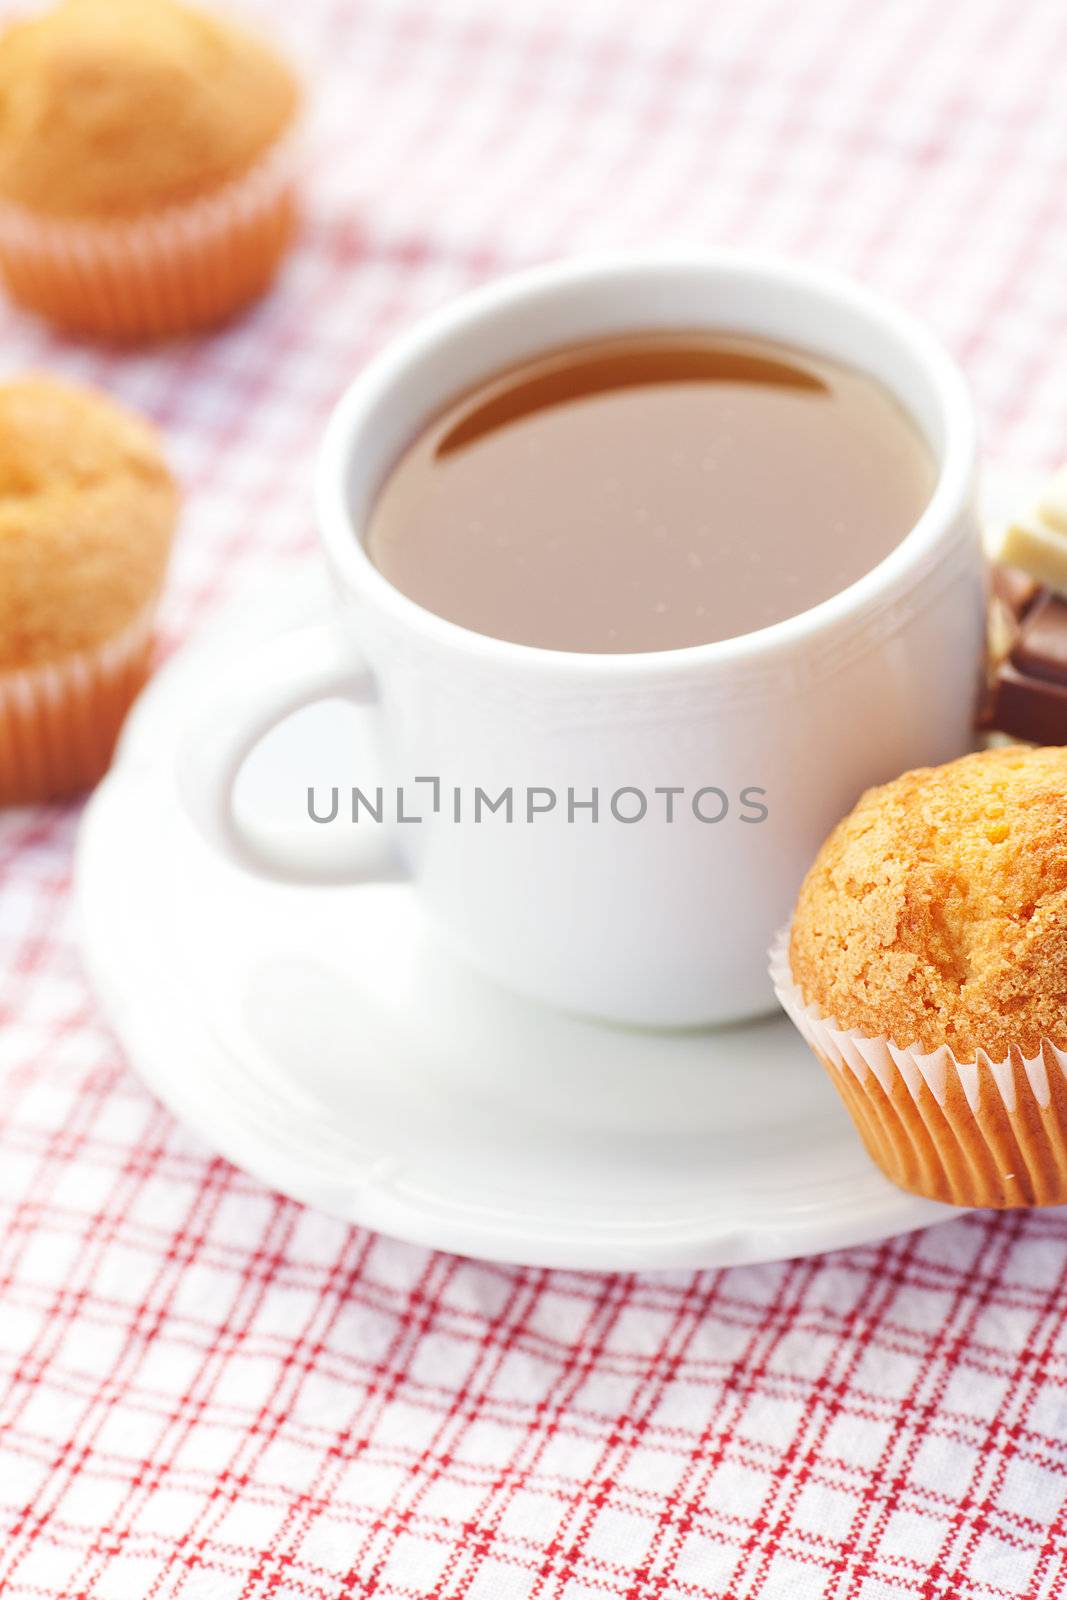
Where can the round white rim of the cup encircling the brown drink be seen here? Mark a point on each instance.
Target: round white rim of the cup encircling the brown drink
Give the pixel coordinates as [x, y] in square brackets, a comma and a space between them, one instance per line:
[522, 294]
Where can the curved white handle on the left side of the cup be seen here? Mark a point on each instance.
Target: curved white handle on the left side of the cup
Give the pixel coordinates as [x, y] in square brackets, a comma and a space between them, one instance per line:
[271, 682]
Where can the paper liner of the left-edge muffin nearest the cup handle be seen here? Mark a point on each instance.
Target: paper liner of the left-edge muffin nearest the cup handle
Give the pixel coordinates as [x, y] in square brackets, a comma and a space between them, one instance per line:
[60, 721]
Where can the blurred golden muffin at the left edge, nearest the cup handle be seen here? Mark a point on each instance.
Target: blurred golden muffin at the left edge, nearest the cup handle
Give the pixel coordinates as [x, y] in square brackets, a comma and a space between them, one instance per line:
[87, 514]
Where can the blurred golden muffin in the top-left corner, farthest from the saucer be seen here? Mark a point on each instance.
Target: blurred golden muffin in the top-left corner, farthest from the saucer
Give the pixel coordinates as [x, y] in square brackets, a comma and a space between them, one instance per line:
[146, 167]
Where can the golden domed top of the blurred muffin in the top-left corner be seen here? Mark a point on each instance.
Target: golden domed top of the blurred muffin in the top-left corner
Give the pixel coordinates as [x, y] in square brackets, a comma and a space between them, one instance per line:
[113, 108]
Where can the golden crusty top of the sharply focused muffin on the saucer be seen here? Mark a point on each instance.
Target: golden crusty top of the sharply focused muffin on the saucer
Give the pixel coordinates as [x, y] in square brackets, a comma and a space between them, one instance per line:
[937, 911]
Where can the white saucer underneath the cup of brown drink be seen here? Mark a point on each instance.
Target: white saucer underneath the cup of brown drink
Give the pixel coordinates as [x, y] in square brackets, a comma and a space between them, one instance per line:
[324, 1041]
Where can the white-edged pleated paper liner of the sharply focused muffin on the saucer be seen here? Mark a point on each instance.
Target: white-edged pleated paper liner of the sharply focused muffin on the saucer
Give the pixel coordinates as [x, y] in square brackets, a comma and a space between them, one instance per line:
[978, 1134]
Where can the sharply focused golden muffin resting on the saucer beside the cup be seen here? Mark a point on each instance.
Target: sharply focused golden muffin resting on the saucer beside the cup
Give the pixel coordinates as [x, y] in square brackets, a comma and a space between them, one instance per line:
[927, 967]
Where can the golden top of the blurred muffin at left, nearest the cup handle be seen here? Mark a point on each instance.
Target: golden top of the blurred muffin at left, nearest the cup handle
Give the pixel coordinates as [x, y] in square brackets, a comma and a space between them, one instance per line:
[87, 514]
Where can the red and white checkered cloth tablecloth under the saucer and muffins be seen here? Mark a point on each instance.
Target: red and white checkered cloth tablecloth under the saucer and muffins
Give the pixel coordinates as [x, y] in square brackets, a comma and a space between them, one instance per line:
[215, 1394]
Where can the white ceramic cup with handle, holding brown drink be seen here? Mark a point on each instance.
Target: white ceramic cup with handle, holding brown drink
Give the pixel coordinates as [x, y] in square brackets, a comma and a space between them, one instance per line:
[644, 922]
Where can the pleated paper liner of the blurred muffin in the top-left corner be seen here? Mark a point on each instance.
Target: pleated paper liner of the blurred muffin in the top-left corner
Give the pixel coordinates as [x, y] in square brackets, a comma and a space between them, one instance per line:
[188, 268]
